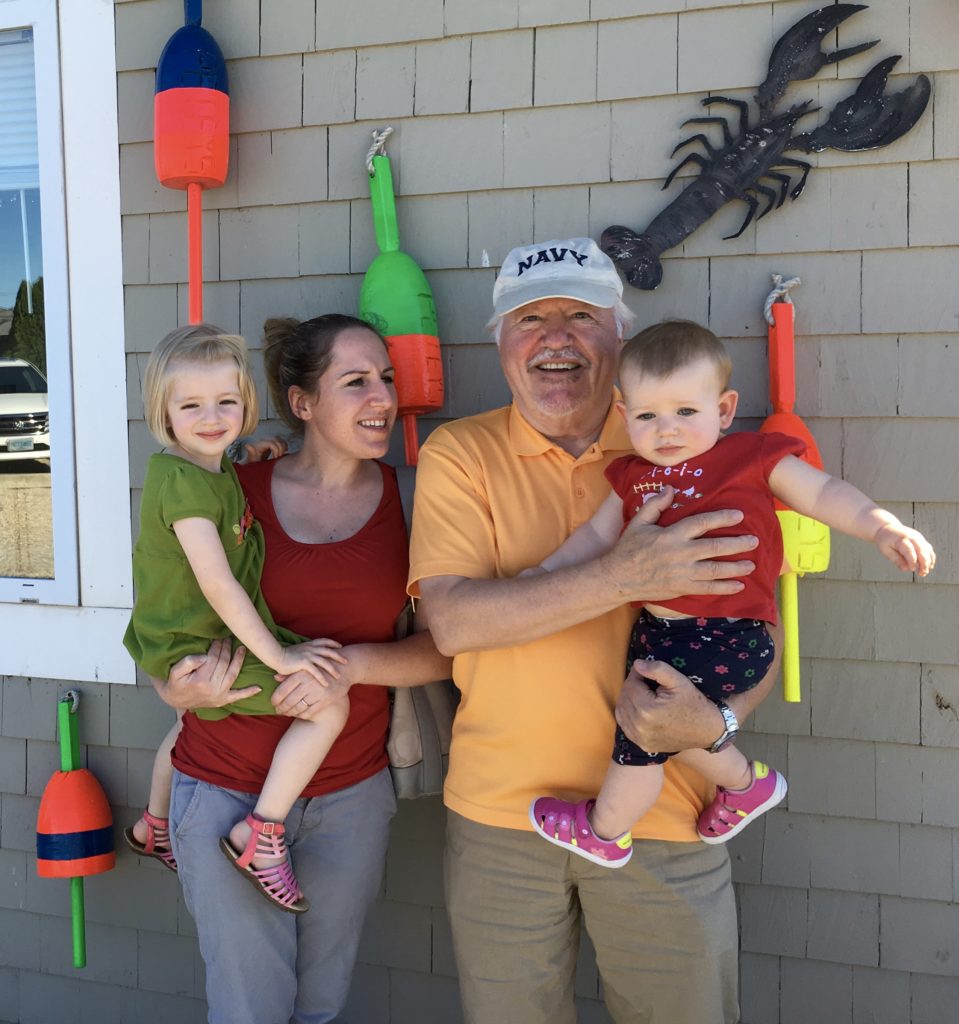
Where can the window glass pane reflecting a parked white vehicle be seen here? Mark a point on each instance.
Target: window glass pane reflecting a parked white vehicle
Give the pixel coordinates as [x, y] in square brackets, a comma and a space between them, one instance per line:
[26, 510]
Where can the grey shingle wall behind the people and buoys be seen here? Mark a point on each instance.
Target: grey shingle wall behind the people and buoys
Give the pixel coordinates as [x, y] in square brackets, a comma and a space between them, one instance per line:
[518, 120]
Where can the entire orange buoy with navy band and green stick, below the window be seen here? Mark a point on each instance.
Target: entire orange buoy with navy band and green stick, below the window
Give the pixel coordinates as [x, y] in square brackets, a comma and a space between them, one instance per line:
[75, 835]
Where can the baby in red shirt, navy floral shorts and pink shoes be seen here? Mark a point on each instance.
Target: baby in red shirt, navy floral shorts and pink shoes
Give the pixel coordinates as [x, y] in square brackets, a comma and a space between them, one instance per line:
[675, 379]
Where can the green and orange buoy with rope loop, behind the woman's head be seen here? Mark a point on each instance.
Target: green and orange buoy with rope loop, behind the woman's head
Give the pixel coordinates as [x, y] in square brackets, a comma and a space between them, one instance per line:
[396, 298]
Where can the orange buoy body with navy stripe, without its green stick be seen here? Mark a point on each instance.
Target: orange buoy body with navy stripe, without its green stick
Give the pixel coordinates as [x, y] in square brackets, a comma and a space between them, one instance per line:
[75, 835]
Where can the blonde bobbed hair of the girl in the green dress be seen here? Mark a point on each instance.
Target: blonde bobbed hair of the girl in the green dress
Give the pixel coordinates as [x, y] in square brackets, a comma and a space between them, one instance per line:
[201, 345]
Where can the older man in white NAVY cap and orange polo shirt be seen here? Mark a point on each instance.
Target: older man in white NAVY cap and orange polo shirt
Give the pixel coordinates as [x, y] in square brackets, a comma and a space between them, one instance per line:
[540, 662]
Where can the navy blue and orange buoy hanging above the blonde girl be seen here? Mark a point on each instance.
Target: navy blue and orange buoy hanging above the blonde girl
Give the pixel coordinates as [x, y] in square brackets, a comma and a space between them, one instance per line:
[192, 130]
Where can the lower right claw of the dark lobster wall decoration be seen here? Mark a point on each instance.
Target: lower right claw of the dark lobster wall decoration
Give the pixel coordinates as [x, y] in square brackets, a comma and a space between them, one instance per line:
[868, 119]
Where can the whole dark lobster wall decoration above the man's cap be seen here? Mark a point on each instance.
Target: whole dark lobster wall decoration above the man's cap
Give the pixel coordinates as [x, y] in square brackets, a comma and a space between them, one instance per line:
[755, 164]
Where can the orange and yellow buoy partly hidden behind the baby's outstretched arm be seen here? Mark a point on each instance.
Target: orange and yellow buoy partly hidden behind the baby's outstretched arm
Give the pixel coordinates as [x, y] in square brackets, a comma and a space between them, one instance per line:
[806, 541]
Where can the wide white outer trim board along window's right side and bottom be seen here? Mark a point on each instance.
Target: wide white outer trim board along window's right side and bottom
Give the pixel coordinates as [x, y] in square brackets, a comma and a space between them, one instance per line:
[64, 642]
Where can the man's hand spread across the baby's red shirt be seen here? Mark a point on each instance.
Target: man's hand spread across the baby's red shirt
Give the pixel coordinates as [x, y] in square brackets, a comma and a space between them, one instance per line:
[653, 564]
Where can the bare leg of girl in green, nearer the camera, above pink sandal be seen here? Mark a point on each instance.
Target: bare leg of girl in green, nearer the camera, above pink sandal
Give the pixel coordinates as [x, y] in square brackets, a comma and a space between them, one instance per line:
[296, 759]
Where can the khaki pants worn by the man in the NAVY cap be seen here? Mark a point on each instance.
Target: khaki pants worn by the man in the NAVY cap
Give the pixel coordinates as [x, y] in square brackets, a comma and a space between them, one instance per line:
[664, 928]
